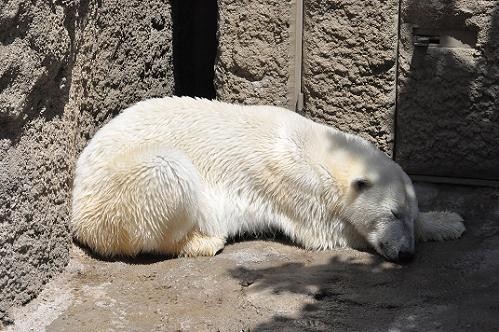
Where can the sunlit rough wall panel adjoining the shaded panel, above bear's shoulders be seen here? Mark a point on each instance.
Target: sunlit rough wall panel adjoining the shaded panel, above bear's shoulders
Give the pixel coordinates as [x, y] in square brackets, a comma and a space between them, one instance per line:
[349, 62]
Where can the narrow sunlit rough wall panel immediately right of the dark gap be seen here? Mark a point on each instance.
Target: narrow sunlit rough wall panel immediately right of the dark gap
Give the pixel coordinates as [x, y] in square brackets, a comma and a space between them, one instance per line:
[254, 65]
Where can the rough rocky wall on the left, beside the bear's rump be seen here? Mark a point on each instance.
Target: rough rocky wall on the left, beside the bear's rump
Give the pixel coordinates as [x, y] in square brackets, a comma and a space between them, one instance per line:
[66, 68]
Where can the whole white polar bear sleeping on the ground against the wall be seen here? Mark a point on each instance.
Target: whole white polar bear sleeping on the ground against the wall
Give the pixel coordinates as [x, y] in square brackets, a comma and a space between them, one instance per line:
[178, 176]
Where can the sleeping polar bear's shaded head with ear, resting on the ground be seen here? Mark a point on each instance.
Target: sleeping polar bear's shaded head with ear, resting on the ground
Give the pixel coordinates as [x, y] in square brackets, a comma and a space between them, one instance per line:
[383, 209]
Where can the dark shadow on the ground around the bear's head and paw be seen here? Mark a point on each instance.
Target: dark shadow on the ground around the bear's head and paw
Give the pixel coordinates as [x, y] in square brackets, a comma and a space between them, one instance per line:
[450, 286]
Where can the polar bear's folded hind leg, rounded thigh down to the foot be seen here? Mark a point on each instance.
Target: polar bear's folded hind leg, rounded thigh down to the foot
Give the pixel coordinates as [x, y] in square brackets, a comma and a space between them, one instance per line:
[149, 202]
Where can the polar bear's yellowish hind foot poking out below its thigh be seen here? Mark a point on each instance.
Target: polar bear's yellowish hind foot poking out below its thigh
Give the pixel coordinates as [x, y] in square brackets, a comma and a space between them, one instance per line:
[198, 244]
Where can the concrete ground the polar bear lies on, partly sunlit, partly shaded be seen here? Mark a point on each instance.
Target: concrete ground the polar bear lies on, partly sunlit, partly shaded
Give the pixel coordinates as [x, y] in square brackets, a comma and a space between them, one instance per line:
[267, 285]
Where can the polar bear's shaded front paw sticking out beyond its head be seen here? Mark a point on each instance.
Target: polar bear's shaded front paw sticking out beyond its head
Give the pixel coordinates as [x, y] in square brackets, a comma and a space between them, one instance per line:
[438, 226]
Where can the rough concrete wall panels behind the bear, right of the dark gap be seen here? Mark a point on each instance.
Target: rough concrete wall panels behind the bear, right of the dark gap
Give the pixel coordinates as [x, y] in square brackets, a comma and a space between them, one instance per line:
[448, 96]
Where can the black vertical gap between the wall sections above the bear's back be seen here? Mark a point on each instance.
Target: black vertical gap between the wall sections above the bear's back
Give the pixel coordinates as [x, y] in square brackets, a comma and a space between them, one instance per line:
[194, 47]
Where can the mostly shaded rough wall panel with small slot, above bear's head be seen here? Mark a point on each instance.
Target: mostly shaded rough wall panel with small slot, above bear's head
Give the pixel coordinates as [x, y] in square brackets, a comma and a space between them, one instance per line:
[448, 102]
